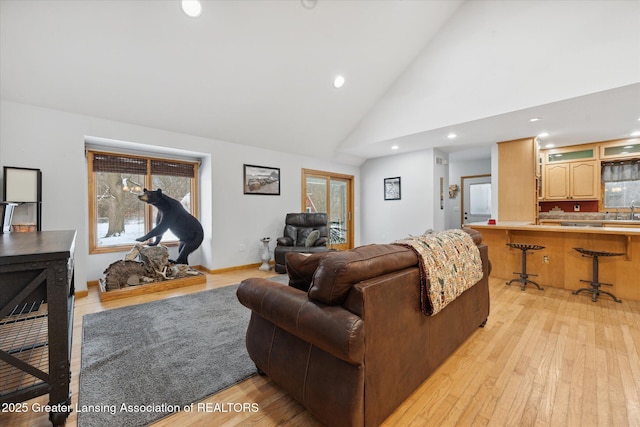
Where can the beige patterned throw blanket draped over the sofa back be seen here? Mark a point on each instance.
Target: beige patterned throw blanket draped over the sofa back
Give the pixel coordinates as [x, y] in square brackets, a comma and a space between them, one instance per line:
[449, 265]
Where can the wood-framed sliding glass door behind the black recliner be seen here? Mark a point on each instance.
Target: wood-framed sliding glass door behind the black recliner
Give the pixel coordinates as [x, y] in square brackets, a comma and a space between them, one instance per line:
[331, 193]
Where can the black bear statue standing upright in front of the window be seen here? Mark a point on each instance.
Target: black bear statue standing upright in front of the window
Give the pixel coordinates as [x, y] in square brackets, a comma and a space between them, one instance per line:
[173, 216]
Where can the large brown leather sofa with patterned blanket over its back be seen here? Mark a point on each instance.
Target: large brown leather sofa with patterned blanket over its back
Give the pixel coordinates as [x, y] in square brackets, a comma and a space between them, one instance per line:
[356, 345]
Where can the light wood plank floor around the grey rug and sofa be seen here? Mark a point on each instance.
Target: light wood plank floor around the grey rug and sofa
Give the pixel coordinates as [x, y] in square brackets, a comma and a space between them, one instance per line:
[545, 358]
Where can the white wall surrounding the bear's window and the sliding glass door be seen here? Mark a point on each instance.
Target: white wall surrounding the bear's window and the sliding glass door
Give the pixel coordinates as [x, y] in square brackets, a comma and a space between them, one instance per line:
[54, 141]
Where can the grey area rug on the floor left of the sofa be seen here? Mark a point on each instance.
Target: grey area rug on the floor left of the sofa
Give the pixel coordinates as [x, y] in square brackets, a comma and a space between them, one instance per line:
[141, 363]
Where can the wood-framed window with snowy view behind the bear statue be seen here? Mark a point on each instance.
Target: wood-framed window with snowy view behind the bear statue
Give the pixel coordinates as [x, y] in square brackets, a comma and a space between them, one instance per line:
[116, 216]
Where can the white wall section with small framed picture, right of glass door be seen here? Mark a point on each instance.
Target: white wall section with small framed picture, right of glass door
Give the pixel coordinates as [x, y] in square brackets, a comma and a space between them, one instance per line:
[383, 221]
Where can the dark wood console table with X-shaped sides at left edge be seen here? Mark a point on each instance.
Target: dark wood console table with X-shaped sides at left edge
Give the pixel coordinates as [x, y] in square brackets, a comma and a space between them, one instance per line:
[36, 318]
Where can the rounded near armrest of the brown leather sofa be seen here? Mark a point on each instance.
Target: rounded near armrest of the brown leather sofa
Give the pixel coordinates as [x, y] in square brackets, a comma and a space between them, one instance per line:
[331, 328]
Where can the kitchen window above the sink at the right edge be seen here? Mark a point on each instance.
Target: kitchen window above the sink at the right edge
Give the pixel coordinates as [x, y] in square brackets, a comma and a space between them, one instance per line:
[621, 182]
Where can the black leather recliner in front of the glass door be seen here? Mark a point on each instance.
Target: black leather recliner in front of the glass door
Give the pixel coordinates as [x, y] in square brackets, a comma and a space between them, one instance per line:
[303, 233]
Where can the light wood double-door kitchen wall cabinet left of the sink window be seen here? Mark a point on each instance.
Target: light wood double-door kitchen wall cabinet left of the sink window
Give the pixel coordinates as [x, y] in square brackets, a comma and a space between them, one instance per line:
[572, 180]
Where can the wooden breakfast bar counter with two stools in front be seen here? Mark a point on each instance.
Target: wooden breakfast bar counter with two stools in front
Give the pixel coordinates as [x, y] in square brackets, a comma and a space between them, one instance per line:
[558, 265]
